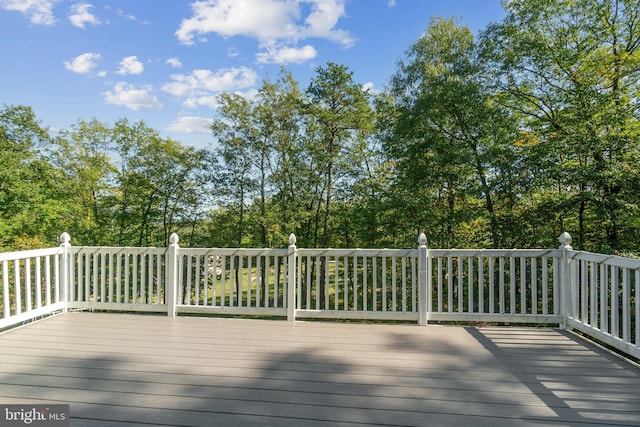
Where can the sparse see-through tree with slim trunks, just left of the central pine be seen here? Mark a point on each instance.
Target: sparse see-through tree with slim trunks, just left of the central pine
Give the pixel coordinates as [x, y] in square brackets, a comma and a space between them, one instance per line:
[269, 168]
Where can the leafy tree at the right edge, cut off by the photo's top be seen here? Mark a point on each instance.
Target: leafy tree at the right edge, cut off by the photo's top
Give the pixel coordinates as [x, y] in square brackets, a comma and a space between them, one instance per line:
[571, 68]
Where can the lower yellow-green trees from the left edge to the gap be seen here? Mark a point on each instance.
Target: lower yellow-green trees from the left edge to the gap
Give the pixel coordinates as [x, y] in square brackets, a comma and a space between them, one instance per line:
[72, 183]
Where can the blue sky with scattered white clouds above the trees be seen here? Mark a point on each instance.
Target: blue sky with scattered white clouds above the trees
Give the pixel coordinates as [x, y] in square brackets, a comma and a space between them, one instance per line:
[164, 61]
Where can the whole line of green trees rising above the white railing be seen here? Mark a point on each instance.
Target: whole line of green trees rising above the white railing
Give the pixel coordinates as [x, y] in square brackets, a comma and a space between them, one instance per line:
[504, 139]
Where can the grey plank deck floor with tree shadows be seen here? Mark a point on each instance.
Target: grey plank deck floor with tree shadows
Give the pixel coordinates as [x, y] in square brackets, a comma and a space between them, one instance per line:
[117, 369]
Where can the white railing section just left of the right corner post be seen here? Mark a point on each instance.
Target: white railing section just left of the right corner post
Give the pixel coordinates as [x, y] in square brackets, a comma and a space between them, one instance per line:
[516, 286]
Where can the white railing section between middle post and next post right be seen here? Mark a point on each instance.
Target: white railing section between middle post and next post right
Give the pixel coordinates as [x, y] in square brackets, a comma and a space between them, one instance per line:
[357, 283]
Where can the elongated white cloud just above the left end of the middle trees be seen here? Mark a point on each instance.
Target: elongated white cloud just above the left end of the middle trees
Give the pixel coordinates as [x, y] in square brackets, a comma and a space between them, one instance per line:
[206, 82]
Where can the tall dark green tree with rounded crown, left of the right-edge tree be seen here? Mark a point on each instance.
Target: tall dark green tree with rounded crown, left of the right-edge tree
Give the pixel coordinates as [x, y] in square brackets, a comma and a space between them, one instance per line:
[449, 139]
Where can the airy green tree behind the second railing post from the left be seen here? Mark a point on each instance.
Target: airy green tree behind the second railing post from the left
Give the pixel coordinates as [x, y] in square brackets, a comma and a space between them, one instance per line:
[158, 183]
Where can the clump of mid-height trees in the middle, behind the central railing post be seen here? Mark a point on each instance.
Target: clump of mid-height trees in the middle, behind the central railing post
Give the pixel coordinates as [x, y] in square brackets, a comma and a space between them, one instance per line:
[284, 154]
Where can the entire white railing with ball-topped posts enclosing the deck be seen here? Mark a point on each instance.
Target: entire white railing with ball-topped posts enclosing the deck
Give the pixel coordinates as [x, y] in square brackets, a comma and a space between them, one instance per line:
[593, 293]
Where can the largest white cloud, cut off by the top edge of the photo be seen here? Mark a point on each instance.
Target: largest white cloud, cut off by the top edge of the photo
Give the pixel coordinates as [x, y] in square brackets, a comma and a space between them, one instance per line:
[272, 23]
